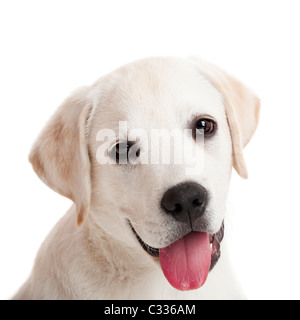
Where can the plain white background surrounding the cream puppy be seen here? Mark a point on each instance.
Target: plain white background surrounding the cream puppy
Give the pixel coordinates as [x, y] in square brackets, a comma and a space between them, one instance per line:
[48, 48]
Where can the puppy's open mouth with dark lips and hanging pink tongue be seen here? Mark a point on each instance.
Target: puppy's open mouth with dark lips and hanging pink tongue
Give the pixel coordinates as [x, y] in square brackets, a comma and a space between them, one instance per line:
[187, 261]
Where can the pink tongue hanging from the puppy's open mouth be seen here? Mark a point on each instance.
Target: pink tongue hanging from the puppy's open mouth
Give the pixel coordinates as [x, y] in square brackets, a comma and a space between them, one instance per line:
[186, 262]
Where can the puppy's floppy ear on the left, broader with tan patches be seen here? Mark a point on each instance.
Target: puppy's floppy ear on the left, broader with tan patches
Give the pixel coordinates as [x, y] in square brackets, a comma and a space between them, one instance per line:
[60, 155]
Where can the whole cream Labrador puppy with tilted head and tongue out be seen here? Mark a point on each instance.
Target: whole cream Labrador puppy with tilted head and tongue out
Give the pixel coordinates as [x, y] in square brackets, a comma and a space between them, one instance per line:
[143, 226]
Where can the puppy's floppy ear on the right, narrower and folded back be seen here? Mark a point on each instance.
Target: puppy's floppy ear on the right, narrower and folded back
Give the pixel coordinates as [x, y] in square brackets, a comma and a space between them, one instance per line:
[242, 110]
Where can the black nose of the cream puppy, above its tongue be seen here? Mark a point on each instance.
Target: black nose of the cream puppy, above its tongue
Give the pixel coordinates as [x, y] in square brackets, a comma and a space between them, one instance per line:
[185, 202]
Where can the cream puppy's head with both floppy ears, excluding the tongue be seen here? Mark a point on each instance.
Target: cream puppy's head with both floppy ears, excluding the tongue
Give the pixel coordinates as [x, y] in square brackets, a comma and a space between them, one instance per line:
[148, 199]
